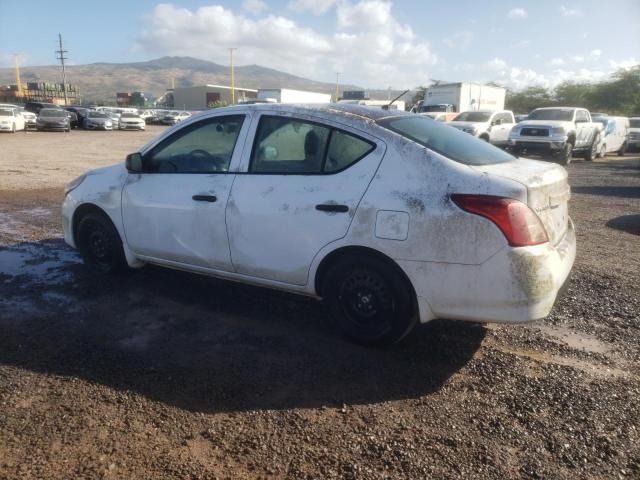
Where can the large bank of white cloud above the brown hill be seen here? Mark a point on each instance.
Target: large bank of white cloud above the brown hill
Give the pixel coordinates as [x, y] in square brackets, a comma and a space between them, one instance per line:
[371, 47]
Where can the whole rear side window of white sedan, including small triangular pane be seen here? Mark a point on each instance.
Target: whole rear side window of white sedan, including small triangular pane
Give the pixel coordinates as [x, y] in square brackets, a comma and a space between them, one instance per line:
[289, 146]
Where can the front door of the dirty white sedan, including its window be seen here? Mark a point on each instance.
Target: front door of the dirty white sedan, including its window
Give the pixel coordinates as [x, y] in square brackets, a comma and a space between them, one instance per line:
[175, 210]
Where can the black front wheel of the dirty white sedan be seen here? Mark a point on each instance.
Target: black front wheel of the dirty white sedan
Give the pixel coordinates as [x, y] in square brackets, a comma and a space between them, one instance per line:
[99, 243]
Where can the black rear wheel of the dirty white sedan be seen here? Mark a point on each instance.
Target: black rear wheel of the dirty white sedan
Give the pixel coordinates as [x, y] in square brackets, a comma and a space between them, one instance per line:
[371, 301]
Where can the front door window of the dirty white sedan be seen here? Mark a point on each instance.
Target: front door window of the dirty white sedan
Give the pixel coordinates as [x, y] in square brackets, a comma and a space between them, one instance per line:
[204, 147]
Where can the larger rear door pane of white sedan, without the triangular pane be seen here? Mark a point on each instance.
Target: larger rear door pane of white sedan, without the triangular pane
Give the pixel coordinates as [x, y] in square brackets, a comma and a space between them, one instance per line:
[288, 145]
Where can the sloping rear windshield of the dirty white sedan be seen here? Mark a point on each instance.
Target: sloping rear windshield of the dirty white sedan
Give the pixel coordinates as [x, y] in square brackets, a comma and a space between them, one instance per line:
[450, 142]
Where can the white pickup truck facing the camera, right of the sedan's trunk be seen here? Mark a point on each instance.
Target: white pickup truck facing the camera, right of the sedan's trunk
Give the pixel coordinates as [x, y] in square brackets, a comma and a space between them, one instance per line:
[556, 131]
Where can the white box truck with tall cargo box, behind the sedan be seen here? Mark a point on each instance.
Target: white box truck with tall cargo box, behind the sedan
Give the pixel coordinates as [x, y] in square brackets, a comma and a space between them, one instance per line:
[461, 97]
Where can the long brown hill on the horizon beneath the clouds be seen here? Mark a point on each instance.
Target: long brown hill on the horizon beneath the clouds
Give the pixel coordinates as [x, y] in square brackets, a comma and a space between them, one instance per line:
[101, 81]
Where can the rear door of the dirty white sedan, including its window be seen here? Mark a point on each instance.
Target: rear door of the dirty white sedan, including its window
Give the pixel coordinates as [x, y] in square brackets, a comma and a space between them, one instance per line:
[303, 182]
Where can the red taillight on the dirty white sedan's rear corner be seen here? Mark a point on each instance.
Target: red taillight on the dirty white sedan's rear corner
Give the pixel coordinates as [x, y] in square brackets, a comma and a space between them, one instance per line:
[519, 224]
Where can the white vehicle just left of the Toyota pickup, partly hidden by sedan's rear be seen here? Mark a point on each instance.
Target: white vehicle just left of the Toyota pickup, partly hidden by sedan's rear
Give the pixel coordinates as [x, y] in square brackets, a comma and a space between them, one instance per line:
[493, 127]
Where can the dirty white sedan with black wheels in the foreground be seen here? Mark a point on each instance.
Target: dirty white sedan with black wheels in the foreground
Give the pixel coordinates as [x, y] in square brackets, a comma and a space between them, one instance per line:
[393, 218]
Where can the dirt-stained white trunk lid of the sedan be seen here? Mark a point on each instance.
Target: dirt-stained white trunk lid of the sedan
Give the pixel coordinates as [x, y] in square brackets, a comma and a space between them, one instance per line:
[547, 187]
